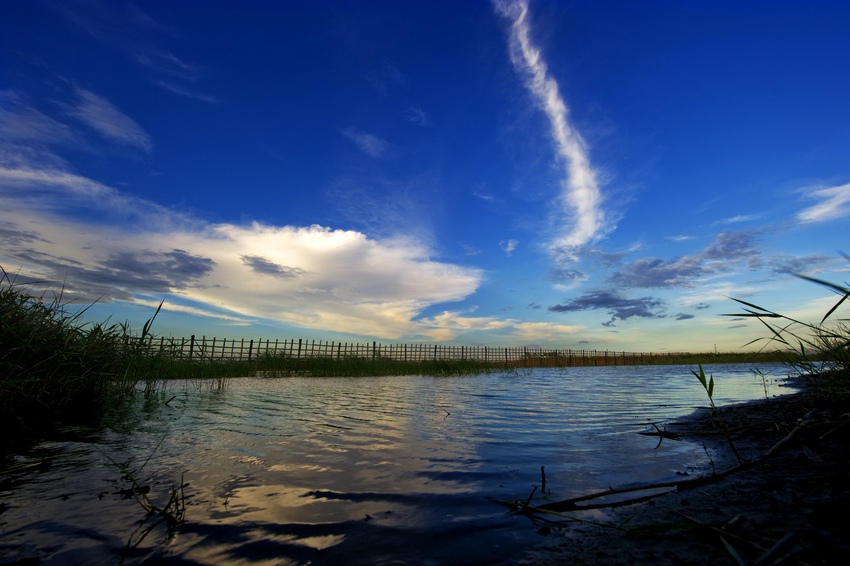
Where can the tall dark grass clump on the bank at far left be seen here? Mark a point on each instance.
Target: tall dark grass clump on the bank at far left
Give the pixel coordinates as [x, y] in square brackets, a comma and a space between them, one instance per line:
[54, 366]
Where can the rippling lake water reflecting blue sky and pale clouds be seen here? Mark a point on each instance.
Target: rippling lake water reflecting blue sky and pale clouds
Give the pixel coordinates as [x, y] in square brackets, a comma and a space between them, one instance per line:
[375, 470]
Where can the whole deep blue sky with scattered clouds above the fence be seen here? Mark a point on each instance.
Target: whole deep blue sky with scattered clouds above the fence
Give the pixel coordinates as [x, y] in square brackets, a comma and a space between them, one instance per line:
[599, 175]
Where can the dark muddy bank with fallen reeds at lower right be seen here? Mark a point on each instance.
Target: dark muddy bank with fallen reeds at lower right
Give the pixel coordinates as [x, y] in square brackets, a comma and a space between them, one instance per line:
[787, 508]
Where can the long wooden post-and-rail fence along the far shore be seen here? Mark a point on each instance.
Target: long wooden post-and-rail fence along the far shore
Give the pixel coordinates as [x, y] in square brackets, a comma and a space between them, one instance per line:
[213, 349]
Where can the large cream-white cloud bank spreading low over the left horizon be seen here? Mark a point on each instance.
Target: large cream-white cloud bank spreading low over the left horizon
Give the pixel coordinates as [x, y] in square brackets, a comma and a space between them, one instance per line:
[309, 276]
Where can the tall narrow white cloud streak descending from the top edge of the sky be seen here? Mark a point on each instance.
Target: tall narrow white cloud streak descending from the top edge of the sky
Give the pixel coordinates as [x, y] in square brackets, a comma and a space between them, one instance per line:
[581, 193]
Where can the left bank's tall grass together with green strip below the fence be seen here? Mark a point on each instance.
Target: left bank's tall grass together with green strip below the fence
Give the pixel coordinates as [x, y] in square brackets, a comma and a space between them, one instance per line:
[54, 366]
